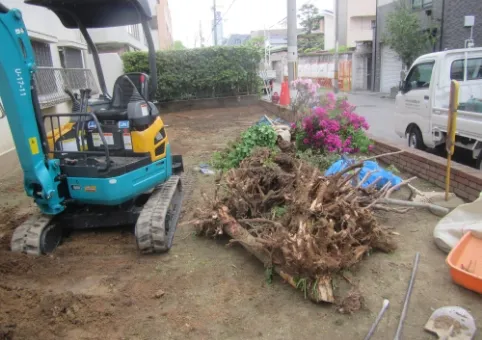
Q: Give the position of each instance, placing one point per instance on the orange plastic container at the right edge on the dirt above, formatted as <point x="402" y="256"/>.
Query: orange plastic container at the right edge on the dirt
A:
<point x="465" y="261"/>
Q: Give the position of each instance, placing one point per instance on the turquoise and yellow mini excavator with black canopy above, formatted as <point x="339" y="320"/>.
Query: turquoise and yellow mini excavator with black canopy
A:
<point x="106" y="164"/>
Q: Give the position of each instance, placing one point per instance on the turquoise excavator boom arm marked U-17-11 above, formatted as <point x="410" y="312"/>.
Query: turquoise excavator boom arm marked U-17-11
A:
<point x="17" y="91"/>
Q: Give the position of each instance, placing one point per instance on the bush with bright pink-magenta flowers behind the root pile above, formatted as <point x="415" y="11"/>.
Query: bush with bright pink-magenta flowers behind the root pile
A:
<point x="332" y="126"/>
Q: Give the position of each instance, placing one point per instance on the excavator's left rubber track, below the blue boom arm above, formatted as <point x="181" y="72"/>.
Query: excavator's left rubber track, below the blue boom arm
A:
<point x="36" y="236"/>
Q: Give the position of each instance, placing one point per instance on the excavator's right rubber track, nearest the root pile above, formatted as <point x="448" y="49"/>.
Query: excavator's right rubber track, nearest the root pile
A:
<point x="157" y="222"/>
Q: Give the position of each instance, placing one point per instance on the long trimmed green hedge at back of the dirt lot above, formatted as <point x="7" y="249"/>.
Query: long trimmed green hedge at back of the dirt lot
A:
<point x="201" y="73"/>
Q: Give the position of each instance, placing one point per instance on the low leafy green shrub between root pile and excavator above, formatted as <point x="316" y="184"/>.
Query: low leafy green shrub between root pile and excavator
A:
<point x="255" y="136"/>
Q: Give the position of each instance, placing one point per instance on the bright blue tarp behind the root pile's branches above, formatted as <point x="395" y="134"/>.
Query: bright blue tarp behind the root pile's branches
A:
<point x="386" y="176"/>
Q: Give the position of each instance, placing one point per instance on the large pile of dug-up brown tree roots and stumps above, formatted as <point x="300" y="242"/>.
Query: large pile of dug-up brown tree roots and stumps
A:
<point x="302" y="225"/>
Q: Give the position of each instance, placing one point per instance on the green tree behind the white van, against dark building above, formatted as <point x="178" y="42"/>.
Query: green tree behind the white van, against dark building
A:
<point x="405" y="34"/>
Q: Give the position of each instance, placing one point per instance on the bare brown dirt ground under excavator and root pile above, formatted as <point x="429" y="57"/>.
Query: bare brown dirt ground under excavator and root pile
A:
<point x="96" y="286"/>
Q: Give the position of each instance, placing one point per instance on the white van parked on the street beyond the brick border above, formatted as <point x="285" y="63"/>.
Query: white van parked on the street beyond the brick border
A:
<point x="422" y="103"/>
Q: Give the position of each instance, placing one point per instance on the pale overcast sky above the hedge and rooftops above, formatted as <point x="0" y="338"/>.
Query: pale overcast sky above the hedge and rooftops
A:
<point x="244" y="16"/>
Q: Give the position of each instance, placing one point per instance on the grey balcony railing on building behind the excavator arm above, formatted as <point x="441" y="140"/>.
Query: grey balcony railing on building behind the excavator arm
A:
<point x="51" y="83"/>
